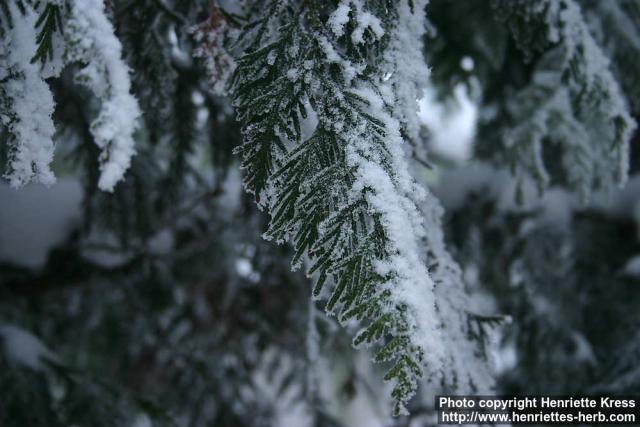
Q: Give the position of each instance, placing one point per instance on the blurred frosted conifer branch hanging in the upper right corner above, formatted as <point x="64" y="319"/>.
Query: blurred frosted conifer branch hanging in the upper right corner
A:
<point x="573" y="100"/>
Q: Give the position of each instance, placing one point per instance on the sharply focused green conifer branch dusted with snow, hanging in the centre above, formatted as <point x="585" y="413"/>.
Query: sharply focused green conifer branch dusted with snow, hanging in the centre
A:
<point x="324" y="156"/>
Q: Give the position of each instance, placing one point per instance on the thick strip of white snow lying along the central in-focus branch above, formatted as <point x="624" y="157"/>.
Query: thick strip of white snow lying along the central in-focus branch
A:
<point x="394" y="197"/>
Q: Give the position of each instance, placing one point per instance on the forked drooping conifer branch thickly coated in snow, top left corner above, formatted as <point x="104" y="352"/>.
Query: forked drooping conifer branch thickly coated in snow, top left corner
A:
<point x="42" y="37"/>
